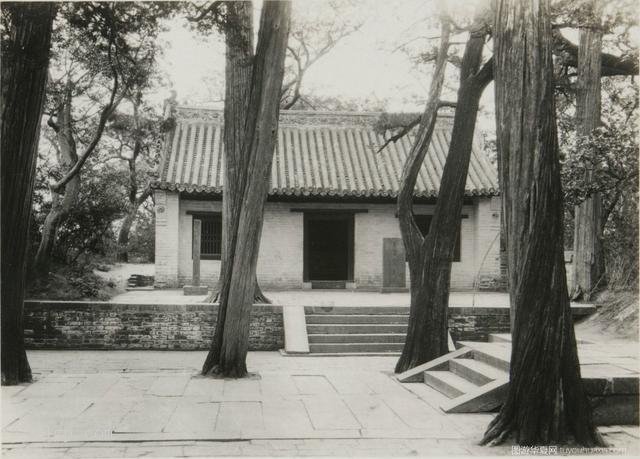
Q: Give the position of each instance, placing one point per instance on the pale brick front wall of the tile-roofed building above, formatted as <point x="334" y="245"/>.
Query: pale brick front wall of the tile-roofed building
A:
<point x="280" y="263"/>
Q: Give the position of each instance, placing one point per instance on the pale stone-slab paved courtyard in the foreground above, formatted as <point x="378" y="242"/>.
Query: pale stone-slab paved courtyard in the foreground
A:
<point x="153" y="403"/>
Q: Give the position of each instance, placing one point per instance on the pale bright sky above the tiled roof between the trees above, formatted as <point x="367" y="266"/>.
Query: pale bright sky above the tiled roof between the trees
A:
<point x="364" y="65"/>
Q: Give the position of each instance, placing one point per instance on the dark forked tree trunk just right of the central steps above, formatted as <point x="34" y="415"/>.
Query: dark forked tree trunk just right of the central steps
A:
<point x="431" y="265"/>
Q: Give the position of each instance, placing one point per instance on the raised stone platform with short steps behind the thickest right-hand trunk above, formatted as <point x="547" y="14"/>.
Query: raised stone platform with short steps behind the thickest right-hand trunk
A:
<point x="475" y="379"/>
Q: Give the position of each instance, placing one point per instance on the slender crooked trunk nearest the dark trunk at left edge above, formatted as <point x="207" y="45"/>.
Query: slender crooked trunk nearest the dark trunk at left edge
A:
<point x="62" y="198"/>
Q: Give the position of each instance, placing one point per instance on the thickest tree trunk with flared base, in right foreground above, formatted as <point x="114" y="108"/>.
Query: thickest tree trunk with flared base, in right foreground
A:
<point x="546" y="403"/>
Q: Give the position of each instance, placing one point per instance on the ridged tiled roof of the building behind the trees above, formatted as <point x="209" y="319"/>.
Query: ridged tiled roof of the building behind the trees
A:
<point x="317" y="154"/>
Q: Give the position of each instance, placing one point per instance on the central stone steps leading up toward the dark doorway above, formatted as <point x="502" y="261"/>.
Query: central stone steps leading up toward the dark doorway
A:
<point x="356" y="330"/>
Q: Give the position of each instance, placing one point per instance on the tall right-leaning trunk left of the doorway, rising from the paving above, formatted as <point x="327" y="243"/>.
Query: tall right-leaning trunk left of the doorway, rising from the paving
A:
<point x="257" y="139"/>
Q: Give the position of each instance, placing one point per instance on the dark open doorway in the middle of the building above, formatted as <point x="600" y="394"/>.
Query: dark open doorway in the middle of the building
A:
<point x="328" y="247"/>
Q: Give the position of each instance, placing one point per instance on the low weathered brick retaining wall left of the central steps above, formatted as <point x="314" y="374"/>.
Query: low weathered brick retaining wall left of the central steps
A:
<point x="102" y="325"/>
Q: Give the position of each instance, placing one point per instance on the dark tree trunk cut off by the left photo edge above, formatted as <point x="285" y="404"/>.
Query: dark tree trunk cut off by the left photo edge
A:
<point x="24" y="76"/>
